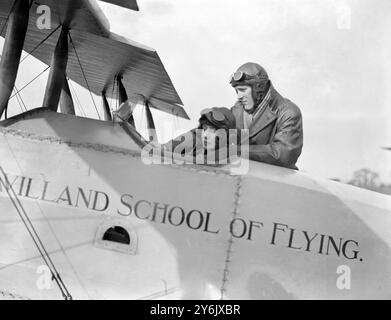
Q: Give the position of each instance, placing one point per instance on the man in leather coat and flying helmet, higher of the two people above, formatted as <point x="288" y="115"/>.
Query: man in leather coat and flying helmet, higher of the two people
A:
<point x="275" y="133"/>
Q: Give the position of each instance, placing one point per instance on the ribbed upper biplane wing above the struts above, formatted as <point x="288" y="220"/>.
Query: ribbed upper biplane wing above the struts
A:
<point x="103" y="55"/>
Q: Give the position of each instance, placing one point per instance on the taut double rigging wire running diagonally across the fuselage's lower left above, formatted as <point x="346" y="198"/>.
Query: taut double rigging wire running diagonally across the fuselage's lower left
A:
<point x="34" y="235"/>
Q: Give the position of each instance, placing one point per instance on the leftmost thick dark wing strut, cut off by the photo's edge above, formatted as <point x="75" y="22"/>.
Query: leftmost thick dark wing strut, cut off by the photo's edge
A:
<point x="12" y="50"/>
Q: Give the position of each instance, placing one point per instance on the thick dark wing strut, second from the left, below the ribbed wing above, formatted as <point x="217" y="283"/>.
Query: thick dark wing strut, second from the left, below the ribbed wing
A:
<point x="57" y="74"/>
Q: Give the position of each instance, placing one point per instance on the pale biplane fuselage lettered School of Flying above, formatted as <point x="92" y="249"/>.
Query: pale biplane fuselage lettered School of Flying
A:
<point x="116" y="227"/>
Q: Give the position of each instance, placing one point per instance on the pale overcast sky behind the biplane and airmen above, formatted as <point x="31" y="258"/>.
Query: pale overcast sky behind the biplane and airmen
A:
<point x="332" y="58"/>
